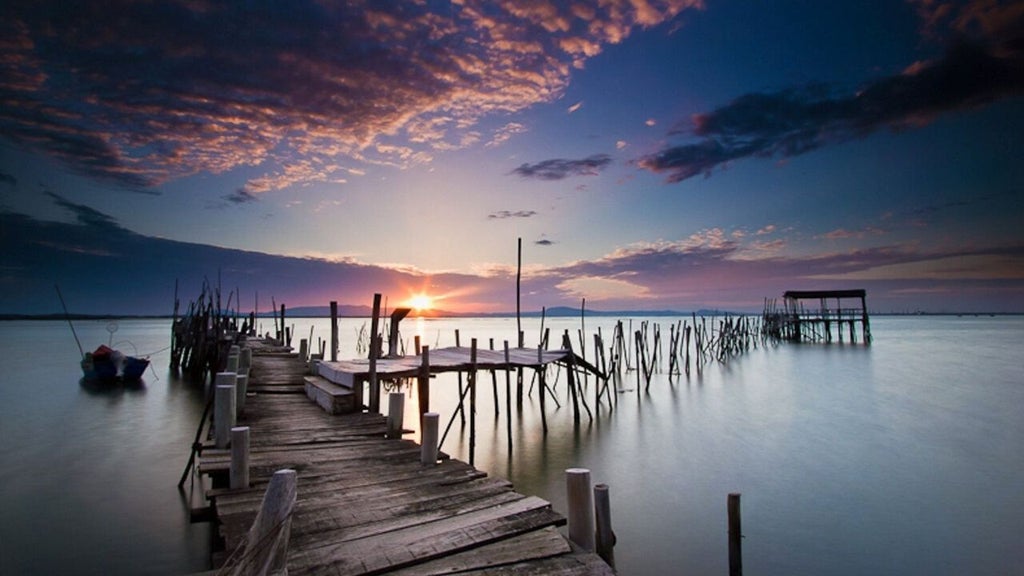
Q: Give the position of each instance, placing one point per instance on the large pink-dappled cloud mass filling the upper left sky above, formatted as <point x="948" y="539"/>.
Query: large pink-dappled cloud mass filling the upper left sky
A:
<point x="169" y="90"/>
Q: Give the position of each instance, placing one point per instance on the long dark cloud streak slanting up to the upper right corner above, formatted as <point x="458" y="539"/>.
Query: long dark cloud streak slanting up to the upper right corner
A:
<point x="787" y="124"/>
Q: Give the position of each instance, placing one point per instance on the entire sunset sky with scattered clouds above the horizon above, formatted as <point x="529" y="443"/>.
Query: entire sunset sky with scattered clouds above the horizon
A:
<point x="649" y="155"/>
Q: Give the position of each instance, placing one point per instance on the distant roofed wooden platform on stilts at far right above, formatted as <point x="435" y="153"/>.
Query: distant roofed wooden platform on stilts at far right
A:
<point x="798" y="322"/>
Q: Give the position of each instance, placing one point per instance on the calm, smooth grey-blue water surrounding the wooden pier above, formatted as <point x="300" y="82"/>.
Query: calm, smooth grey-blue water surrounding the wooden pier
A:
<point x="906" y="458"/>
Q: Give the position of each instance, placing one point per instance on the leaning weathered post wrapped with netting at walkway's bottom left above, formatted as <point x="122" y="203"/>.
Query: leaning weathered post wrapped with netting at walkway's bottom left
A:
<point x="267" y="547"/>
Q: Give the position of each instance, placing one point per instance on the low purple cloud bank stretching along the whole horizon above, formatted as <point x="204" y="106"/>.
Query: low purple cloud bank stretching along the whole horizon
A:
<point x="135" y="274"/>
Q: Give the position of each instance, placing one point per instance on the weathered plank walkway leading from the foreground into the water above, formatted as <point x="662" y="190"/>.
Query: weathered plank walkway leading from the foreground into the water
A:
<point x="367" y="506"/>
